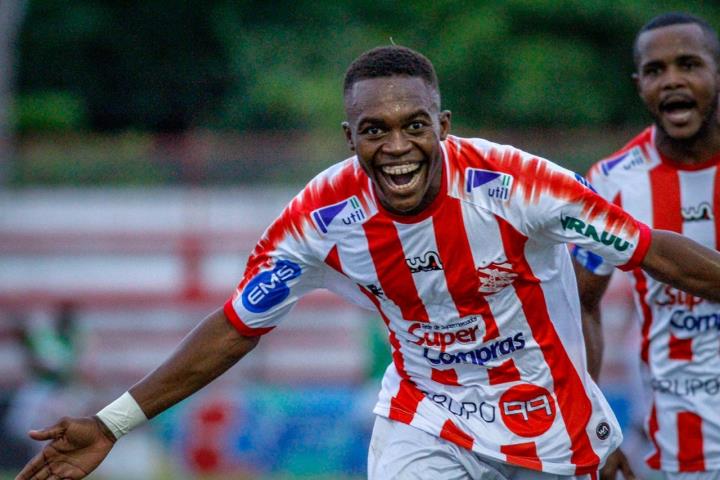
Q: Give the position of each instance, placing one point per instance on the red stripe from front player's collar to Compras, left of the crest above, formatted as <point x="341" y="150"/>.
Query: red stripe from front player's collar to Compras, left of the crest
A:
<point x="459" y="266"/>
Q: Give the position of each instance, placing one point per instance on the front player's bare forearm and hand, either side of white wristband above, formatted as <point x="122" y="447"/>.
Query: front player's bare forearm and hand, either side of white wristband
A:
<point x="79" y="445"/>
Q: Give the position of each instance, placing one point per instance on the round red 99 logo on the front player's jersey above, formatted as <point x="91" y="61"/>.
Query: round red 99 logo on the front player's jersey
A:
<point x="528" y="410"/>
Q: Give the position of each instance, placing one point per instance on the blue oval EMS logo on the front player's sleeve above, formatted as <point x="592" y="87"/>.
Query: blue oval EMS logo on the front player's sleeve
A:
<point x="269" y="288"/>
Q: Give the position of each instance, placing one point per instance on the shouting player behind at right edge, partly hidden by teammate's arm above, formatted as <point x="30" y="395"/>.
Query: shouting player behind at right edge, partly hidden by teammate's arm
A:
<point x="668" y="178"/>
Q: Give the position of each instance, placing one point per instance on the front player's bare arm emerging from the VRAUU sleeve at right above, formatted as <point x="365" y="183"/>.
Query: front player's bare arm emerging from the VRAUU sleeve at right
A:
<point x="683" y="264"/>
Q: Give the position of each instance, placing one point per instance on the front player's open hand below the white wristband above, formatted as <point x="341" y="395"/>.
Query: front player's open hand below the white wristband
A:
<point x="77" y="447"/>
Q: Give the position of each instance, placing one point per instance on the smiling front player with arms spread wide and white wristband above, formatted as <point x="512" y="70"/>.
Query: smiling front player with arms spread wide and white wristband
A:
<point x="459" y="244"/>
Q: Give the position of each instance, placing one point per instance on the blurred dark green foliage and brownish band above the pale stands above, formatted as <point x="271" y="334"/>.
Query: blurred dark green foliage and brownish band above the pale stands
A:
<point x="552" y="76"/>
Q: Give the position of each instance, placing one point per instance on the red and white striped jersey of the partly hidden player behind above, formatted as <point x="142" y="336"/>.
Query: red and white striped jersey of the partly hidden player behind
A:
<point x="680" y="332"/>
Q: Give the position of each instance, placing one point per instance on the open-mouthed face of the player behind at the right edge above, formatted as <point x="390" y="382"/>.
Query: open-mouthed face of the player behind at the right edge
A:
<point x="677" y="79"/>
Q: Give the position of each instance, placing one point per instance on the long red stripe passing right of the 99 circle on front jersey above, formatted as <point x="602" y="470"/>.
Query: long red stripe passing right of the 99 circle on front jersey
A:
<point x="569" y="390"/>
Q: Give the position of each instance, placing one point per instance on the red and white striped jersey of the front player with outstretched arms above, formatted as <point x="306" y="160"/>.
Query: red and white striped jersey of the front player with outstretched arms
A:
<point x="477" y="292"/>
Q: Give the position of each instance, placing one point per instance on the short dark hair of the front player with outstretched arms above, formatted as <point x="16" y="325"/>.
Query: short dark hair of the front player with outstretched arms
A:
<point x="389" y="61"/>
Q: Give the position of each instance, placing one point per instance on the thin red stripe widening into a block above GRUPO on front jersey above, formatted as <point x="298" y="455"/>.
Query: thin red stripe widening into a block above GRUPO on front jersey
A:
<point x="403" y="405"/>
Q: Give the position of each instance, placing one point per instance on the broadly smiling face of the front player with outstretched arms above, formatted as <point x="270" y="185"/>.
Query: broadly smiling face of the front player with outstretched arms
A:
<point x="395" y="127"/>
